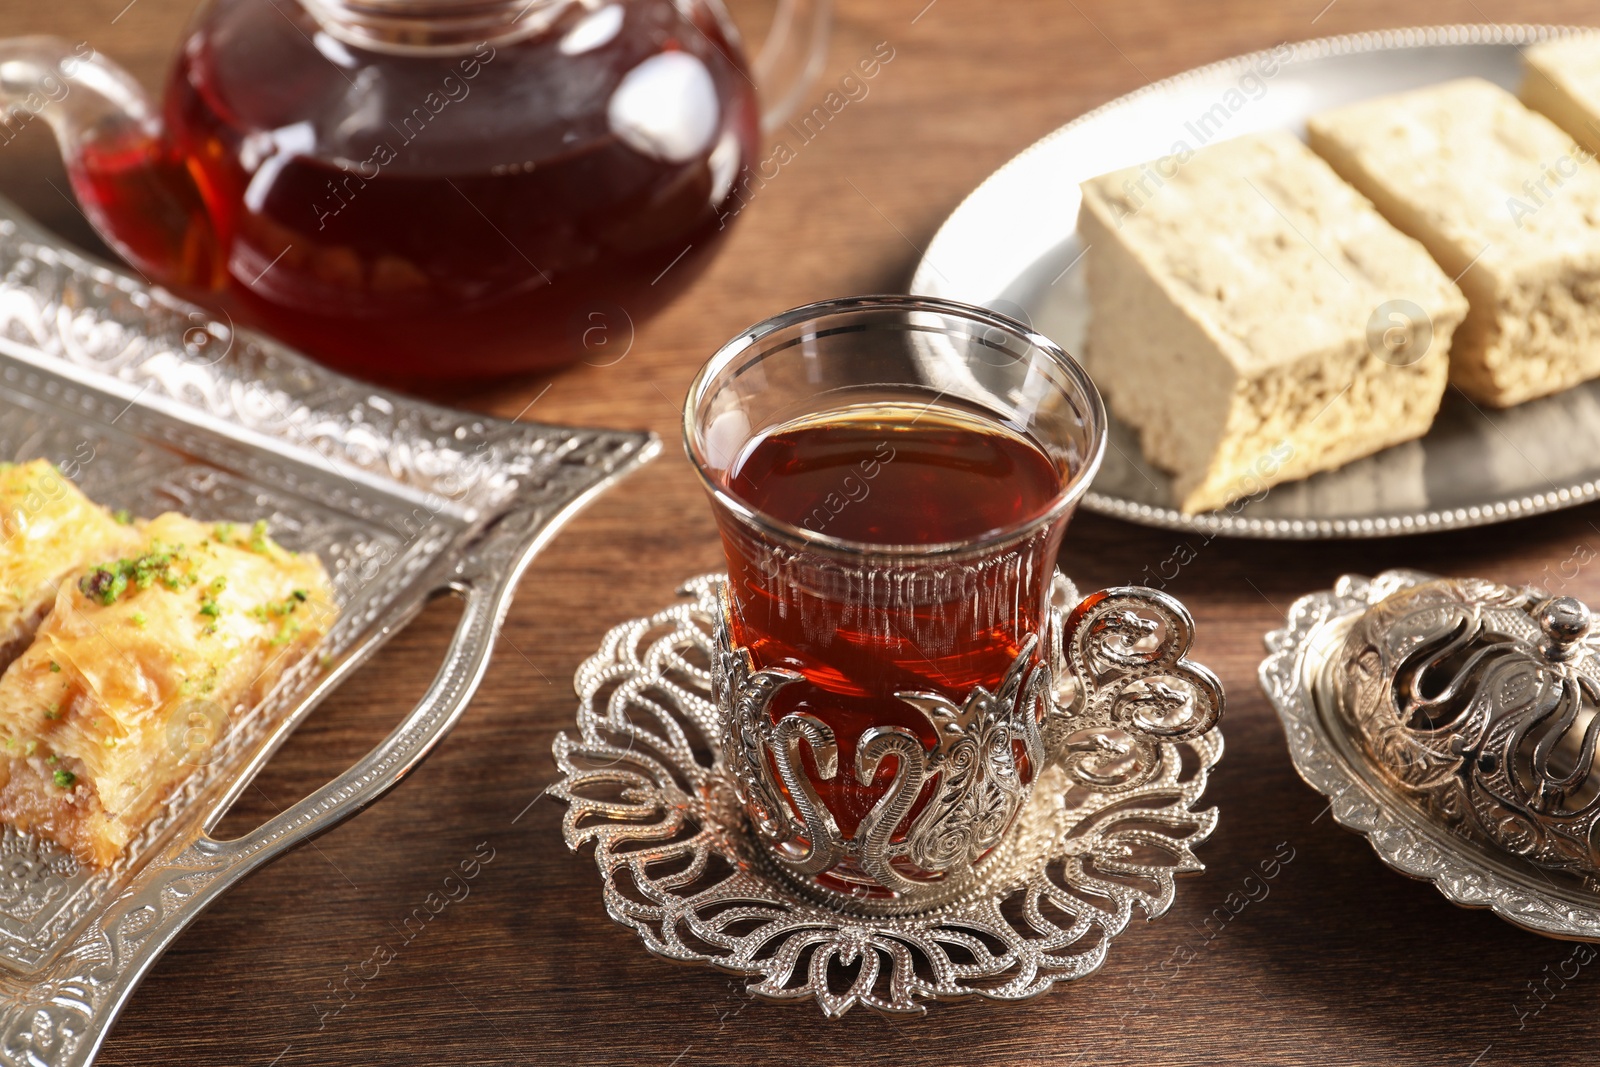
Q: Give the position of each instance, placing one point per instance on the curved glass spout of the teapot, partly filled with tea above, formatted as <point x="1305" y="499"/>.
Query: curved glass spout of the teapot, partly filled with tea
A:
<point x="134" y="190"/>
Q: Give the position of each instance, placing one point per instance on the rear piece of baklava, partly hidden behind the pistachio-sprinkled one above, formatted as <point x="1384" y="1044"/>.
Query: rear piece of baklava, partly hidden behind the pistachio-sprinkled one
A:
<point x="49" y="530"/>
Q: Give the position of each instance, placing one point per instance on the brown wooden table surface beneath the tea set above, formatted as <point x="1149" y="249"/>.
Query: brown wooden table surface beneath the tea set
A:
<point x="1342" y="962"/>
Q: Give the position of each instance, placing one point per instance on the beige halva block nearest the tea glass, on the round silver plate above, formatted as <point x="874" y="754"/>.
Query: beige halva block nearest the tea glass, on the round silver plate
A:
<point x="1255" y="318"/>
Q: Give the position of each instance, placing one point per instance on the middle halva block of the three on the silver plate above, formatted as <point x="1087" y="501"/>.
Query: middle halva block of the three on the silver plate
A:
<point x="1508" y="207"/>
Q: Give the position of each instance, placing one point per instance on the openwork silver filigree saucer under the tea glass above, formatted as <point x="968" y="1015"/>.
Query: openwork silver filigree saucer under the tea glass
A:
<point x="646" y="783"/>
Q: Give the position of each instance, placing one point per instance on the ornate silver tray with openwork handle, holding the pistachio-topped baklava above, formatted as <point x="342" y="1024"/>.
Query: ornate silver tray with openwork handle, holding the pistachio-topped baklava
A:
<point x="151" y="406"/>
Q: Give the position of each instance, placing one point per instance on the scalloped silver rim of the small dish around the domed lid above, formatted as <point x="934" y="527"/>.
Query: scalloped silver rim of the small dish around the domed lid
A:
<point x="1470" y="873"/>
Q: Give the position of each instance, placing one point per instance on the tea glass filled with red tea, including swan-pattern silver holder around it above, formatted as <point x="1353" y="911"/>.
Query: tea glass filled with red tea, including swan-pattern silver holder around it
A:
<point x="892" y="478"/>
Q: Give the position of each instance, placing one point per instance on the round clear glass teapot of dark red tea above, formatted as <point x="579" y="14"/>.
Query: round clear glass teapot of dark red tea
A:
<point x="426" y="191"/>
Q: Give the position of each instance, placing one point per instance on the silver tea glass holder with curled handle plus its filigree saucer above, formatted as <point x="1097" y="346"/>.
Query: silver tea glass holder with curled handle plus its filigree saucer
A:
<point x="1113" y="818"/>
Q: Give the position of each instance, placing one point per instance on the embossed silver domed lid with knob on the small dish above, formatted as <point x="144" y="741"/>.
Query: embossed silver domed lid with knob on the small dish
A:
<point x="1479" y="705"/>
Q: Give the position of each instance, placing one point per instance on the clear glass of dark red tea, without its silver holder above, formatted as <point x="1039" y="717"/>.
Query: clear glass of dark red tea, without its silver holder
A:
<point x="892" y="479"/>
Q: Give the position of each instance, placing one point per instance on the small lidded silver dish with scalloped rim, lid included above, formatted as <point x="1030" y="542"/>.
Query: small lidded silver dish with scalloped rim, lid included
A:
<point x="1426" y="781"/>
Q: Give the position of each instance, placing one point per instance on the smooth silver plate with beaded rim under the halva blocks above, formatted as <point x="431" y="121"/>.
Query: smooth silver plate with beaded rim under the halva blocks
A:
<point x="1014" y="246"/>
